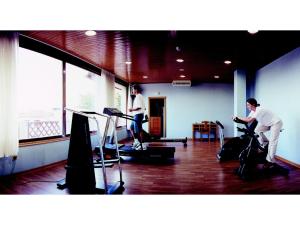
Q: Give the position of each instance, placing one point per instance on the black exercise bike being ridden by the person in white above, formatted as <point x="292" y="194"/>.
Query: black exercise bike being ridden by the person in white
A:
<point x="253" y="155"/>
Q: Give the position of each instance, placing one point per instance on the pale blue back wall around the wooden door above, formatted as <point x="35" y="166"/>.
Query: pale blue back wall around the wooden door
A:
<point x="187" y="105"/>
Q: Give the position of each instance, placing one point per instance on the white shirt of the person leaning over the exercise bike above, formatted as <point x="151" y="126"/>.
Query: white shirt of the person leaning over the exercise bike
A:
<point x="264" y="116"/>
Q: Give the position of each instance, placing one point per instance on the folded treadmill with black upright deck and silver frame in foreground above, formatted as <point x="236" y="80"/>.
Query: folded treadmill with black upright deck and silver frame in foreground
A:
<point x="81" y="164"/>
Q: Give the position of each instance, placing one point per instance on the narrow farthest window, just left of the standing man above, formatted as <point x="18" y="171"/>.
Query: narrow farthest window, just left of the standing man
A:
<point x="120" y="102"/>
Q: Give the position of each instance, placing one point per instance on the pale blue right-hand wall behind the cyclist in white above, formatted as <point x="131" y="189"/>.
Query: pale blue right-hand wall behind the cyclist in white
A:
<point x="277" y="87"/>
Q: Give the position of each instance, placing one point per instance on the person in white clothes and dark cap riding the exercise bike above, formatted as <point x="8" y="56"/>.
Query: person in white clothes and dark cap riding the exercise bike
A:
<point x="267" y="120"/>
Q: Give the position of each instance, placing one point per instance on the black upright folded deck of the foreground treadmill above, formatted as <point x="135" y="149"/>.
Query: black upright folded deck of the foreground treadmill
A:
<point x="80" y="176"/>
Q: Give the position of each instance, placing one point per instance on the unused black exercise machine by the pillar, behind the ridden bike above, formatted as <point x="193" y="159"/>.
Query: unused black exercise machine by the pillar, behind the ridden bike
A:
<point x="231" y="149"/>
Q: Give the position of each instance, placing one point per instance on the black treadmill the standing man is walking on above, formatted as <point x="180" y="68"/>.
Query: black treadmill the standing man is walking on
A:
<point x="151" y="150"/>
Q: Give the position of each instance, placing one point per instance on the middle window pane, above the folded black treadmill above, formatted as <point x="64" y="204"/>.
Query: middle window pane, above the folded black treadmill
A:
<point x="82" y="92"/>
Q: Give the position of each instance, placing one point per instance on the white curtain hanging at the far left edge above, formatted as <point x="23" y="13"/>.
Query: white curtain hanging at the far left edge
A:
<point x="9" y="141"/>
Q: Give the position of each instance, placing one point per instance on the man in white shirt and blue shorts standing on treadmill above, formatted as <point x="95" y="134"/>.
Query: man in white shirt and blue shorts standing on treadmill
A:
<point x="137" y="110"/>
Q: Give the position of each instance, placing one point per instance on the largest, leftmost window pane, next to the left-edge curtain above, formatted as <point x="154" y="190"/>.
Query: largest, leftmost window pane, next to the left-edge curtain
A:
<point x="39" y="95"/>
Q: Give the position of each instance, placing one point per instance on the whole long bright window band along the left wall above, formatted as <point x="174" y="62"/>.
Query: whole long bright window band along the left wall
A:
<point x="40" y="95"/>
